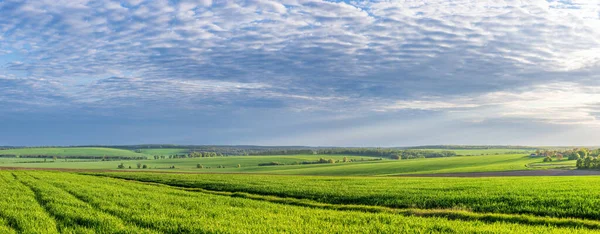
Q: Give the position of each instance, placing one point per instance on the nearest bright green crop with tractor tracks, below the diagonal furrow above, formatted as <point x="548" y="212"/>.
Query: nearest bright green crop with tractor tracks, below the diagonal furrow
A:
<point x="68" y="203"/>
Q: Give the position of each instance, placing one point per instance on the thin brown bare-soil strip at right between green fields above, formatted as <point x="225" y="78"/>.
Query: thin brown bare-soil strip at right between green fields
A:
<point x="549" y="172"/>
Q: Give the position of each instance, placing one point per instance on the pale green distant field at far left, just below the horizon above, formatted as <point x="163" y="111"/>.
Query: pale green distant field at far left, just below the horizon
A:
<point x="73" y="152"/>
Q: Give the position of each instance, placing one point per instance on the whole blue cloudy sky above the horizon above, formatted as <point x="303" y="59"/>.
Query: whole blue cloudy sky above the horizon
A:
<point x="300" y="72"/>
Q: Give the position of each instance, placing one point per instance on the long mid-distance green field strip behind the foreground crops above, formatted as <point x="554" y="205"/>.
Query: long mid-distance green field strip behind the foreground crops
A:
<point x="249" y="164"/>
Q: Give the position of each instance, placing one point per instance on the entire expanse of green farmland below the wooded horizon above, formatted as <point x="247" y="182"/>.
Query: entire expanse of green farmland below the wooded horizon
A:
<point x="296" y="193"/>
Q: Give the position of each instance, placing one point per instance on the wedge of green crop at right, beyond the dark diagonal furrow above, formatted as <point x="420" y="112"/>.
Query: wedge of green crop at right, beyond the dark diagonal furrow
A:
<point x="560" y="197"/>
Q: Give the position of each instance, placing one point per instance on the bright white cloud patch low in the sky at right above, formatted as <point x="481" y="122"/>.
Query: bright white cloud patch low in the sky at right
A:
<point x="557" y="103"/>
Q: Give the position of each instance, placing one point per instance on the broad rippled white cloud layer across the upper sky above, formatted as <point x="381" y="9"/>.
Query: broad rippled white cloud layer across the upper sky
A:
<point x="312" y="55"/>
